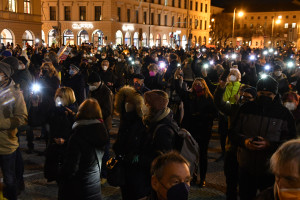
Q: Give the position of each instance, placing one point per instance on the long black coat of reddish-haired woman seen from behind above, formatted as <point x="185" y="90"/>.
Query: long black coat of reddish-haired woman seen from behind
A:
<point x="80" y="174"/>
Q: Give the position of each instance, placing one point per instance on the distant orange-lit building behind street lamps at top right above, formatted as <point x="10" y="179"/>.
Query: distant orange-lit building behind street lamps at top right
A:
<point x="278" y="28"/>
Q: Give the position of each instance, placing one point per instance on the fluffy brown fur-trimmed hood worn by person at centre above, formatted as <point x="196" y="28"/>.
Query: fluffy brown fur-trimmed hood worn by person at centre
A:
<point x="130" y="95"/>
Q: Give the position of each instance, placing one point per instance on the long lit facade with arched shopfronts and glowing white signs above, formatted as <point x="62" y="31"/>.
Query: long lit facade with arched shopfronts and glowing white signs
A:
<point x="131" y="22"/>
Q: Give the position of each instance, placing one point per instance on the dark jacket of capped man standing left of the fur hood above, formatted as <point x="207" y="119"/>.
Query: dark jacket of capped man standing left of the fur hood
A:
<point x="104" y="96"/>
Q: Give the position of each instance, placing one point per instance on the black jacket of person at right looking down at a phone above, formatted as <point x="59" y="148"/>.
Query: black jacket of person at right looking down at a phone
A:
<point x="273" y="122"/>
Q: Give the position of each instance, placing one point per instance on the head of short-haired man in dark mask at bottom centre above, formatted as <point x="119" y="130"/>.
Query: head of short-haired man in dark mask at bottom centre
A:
<point x="170" y="177"/>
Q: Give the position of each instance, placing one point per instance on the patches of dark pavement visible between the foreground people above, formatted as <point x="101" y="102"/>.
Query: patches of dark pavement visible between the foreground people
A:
<point x="37" y="187"/>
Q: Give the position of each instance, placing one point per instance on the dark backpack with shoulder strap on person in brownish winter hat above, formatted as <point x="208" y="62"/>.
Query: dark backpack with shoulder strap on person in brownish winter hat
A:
<point x="189" y="148"/>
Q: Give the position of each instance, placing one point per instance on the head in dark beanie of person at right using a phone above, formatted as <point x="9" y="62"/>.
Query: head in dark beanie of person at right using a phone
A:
<point x="267" y="89"/>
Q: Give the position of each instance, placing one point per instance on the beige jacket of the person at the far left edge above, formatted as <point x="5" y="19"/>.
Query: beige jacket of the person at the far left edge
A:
<point x="13" y="113"/>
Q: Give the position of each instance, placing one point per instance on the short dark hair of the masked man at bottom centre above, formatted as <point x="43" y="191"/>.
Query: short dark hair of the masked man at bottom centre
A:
<point x="158" y="165"/>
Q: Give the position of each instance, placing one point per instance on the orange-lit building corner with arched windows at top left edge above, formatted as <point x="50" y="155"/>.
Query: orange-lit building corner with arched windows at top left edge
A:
<point x="20" y="21"/>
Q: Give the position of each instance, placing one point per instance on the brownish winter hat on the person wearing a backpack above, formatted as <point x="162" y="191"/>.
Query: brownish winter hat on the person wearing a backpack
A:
<point x="157" y="99"/>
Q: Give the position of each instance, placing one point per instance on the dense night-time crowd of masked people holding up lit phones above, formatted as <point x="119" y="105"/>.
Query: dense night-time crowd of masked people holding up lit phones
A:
<point x="155" y="92"/>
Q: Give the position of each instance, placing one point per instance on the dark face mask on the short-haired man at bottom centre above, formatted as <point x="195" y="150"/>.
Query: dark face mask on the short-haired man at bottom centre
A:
<point x="178" y="192"/>
